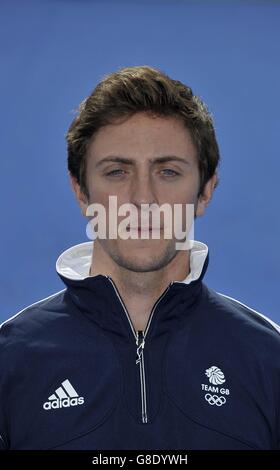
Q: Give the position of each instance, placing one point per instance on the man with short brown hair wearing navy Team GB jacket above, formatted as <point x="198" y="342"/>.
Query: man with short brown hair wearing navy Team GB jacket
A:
<point x="137" y="352"/>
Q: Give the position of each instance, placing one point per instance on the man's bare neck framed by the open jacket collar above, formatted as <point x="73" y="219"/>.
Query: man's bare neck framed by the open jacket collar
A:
<point x="140" y="290"/>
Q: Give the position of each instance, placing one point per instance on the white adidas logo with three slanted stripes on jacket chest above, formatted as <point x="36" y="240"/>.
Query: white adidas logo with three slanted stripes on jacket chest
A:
<point x="63" y="397"/>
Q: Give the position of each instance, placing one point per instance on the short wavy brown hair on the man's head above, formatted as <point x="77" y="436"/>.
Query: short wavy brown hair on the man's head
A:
<point x="141" y="89"/>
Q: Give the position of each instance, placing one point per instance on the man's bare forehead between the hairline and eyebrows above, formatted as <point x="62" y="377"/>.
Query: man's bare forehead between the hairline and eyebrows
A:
<point x="142" y="135"/>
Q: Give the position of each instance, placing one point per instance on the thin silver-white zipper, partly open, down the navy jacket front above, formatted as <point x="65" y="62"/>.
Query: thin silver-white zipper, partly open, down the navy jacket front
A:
<point x="140" y="337"/>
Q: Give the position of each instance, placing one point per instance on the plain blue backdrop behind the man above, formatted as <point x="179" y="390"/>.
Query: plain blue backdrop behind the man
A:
<point x="53" y="53"/>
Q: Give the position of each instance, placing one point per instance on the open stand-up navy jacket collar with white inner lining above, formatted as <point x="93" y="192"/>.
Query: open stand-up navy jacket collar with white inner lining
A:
<point x="97" y="297"/>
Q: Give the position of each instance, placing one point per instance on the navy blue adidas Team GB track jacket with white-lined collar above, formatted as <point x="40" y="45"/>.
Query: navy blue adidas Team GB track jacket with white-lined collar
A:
<point x="74" y="373"/>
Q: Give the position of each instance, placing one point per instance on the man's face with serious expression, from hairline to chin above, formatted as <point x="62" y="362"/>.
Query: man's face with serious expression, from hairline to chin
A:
<point x="144" y="179"/>
